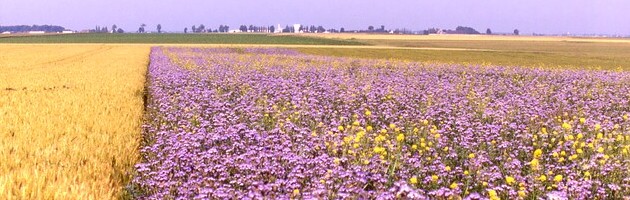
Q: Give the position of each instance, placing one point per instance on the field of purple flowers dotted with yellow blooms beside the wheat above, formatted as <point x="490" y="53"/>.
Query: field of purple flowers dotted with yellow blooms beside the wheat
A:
<point x="273" y="123"/>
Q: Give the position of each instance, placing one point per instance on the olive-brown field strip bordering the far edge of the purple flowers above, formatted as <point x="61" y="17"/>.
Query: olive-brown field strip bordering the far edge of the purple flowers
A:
<point x="526" y="59"/>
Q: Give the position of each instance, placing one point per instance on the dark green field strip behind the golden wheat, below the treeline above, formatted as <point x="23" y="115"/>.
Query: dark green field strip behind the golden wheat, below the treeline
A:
<point x="176" y="39"/>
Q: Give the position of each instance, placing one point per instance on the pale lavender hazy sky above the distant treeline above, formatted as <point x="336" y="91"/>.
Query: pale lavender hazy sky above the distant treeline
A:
<point x="539" y="16"/>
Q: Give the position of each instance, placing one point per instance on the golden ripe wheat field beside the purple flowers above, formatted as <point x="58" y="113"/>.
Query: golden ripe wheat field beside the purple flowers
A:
<point x="70" y="119"/>
